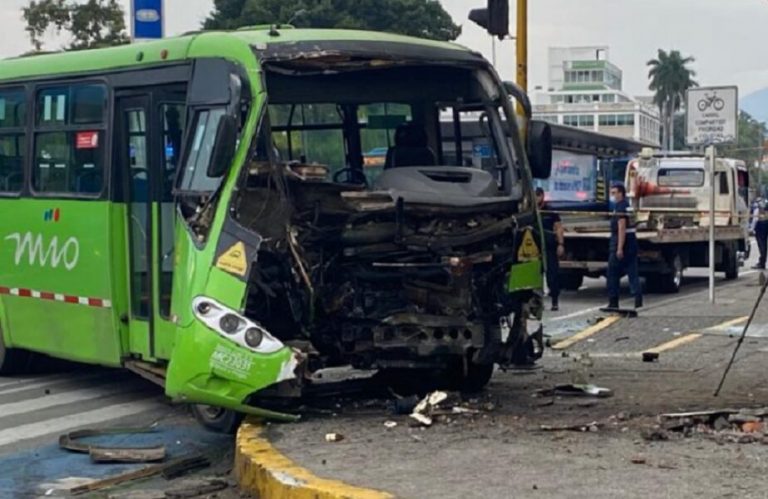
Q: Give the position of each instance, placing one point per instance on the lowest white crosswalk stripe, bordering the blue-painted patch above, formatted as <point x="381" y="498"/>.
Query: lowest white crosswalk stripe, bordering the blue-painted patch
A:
<point x="66" y="423"/>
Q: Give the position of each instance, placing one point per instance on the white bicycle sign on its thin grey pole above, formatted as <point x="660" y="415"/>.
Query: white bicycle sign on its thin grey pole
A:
<point x="712" y="117"/>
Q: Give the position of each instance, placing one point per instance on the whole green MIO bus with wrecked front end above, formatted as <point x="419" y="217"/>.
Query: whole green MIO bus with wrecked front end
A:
<point x="196" y="209"/>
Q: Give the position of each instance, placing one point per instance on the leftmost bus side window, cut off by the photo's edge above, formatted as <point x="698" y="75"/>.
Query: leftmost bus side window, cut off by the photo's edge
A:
<point x="13" y="139"/>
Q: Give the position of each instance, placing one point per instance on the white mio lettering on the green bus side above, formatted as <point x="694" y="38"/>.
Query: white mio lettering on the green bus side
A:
<point x="39" y="253"/>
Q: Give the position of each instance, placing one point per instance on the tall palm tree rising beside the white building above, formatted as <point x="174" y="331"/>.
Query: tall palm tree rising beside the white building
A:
<point x="670" y="78"/>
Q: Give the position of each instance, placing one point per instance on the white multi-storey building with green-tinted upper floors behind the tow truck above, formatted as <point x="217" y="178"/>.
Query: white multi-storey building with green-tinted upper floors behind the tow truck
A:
<point x="585" y="91"/>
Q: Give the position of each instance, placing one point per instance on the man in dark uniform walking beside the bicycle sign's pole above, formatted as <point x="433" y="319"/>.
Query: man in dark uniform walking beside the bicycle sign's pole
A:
<point x="622" y="248"/>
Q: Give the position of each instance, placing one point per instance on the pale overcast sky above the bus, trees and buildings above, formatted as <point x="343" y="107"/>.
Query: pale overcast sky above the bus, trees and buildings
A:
<point x="726" y="36"/>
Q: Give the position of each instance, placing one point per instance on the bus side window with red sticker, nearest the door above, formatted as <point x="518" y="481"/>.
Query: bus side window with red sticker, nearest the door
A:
<point x="69" y="139"/>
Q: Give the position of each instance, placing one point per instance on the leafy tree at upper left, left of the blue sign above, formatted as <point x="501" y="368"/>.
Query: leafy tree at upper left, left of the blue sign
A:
<point x="92" y="24"/>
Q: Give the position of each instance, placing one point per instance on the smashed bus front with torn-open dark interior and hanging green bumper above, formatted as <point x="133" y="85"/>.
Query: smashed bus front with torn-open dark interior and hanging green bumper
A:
<point x="427" y="261"/>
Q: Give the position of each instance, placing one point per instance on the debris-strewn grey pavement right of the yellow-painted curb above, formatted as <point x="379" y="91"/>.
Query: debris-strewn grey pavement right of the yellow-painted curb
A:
<point x="503" y="452"/>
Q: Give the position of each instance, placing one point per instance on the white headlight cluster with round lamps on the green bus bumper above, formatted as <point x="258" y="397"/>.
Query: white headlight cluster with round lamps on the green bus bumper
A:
<point x="233" y="326"/>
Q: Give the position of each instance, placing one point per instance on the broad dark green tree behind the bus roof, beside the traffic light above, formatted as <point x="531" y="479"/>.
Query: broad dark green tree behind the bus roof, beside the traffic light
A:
<point x="422" y="18"/>
